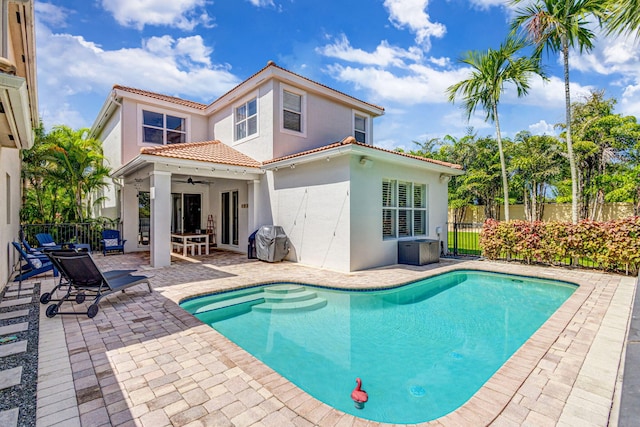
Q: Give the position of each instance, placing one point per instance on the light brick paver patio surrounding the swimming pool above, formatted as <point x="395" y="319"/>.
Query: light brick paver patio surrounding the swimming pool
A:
<point x="143" y="361"/>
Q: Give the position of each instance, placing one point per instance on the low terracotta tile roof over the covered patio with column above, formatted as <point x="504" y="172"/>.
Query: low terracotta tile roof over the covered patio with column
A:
<point x="205" y="151"/>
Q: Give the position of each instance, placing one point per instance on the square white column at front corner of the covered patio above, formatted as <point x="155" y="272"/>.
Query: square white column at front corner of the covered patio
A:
<point x="160" y="195"/>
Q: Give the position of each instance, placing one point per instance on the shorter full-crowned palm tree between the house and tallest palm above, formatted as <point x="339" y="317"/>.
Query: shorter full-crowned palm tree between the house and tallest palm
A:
<point x="490" y="71"/>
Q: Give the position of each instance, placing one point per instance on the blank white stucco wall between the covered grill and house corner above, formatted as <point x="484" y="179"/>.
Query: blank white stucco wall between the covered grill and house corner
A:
<point x="312" y="204"/>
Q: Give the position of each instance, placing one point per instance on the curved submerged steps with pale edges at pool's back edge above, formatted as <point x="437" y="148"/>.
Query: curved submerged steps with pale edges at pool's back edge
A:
<point x="289" y="297"/>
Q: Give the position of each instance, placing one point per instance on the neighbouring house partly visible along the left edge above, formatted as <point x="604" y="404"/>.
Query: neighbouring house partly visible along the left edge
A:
<point x="18" y="117"/>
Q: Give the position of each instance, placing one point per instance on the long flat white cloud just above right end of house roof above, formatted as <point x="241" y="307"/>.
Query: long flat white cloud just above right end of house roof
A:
<point x="384" y="55"/>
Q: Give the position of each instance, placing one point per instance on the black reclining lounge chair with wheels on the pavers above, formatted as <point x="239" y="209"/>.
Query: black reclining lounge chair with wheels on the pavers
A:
<point x="85" y="279"/>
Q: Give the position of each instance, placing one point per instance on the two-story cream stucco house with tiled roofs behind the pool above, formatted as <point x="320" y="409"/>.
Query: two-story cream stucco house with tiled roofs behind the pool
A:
<point x="277" y="149"/>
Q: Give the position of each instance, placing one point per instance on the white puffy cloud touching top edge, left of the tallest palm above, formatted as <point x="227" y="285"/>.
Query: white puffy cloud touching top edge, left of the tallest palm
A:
<point x="412" y="14"/>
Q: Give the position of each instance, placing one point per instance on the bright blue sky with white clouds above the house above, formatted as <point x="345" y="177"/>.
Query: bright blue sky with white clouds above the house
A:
<point x="400" y="54"/>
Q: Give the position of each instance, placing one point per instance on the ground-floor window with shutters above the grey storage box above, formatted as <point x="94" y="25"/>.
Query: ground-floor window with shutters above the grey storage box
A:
<point x="402" y="216"/>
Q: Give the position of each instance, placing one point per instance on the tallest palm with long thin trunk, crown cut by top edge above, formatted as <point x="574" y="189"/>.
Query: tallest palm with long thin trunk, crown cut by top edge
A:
<point x="558" y="25"/>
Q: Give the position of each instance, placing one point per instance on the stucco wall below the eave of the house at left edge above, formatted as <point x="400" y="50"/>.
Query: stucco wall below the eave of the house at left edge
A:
<point x="9" y="209"/>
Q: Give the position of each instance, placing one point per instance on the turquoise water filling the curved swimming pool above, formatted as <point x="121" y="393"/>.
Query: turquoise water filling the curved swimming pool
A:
<point x="422" y="349"/>
